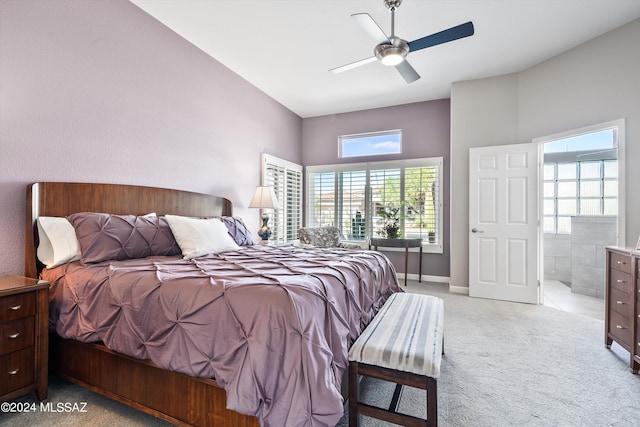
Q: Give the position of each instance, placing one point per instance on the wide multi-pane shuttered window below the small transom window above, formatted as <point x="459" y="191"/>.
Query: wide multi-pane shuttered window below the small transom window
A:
<point x="351" y="197"/>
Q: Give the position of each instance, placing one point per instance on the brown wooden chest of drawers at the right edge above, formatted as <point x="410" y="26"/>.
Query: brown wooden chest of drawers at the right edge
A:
<point x="622" y="314"/>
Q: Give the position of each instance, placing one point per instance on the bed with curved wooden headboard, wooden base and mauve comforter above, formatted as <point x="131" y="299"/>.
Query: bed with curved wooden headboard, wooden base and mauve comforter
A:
<point x="245" y="369"/>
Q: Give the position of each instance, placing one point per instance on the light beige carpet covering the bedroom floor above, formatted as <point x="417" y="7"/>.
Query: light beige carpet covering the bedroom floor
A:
<point x="505" y="364"/>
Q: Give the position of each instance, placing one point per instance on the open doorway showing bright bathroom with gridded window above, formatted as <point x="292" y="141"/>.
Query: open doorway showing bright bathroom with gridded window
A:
<point x="581" y="205"/>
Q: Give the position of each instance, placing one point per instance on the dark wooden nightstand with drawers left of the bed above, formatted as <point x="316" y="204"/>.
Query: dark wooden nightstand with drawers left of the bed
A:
<point x="24" y="337"/>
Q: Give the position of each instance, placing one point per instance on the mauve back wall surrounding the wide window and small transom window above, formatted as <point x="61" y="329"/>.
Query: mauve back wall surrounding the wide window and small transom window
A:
<point x="425" y="133"/>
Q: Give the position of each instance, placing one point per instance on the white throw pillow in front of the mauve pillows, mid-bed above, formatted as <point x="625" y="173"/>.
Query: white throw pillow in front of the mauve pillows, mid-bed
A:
<point x="198" y="237"/>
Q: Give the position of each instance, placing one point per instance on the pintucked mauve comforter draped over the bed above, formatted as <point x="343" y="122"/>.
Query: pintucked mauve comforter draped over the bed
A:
<point x="272" y="325"/>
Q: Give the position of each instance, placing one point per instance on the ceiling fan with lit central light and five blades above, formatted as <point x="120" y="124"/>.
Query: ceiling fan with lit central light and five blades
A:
<point x="393" y="50"/>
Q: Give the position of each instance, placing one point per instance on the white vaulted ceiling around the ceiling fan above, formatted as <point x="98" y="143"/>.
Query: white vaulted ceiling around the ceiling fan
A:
<point x="286" y="47"/>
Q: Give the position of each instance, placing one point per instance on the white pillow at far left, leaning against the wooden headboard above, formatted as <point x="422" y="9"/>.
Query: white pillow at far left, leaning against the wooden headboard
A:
<point x="58" y="243"/>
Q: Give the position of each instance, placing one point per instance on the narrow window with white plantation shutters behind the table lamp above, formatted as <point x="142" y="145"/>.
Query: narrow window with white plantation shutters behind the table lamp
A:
<point x="286" y="179"/>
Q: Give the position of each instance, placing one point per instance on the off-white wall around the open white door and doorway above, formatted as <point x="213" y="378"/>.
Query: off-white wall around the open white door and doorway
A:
<point x="593" y="83"/>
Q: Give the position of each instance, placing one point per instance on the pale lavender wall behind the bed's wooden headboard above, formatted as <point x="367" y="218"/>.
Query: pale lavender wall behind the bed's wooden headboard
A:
<point x="98" y="91"/>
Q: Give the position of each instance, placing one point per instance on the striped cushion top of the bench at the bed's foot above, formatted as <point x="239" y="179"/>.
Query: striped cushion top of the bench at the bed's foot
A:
<point x="406" y="335"/>
